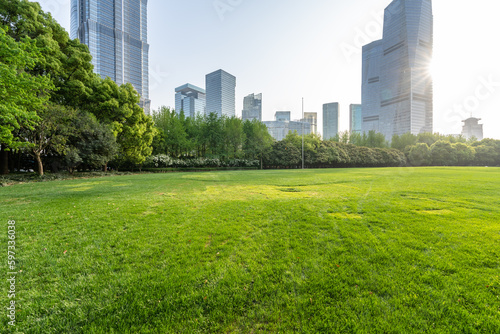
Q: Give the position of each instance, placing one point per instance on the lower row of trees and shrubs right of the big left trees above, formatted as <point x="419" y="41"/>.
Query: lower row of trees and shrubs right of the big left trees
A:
<point x="183" y="140"/>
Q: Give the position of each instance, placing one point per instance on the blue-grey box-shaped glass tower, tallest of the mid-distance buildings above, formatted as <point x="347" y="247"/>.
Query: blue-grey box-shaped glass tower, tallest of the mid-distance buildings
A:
<point x="221" y="92"/>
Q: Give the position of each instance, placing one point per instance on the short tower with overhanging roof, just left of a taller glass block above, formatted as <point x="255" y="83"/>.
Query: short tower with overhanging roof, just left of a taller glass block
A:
<point x="191" y="100"/>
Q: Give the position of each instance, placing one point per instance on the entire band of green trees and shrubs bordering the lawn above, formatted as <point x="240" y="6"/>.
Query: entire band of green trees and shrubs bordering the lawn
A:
<point x="56" y="113"/>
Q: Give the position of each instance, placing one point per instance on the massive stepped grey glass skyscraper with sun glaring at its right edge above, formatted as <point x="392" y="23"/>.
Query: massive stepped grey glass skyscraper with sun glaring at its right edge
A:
<point x="397" y="95"/>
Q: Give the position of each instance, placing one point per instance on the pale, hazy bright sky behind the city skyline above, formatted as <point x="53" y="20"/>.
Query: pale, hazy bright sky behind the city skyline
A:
<point x="292" y="49"/>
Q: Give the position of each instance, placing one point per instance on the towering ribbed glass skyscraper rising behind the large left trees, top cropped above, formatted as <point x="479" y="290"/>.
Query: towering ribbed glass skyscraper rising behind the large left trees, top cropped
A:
<point x="116" y="33"/>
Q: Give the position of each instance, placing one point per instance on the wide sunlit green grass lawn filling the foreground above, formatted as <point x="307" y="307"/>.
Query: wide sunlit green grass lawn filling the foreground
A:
<point x="315" y="251"/>
